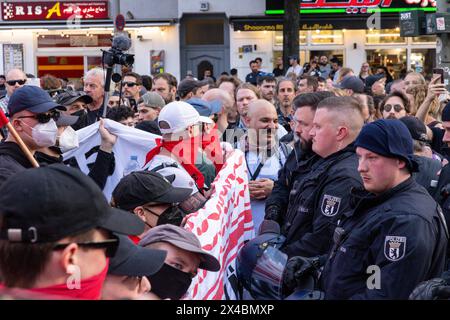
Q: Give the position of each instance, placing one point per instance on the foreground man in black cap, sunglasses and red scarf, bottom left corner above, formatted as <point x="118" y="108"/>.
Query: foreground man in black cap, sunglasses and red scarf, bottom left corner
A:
<point x="57" y="242"/>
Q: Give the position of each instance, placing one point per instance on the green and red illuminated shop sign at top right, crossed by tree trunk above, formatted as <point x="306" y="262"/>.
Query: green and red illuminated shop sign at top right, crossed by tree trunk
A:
<point x="275" y="7"/>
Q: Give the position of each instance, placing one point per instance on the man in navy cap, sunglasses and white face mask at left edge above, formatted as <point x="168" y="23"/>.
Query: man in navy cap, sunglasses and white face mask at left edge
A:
<point x="32" y="114"/>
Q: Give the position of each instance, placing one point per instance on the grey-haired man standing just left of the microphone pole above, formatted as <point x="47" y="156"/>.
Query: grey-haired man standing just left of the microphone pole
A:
<point x="94" y="83"/>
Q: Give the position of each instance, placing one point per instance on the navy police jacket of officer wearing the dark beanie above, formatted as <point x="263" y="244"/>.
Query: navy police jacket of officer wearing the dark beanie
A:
<point x="400" y="232"/>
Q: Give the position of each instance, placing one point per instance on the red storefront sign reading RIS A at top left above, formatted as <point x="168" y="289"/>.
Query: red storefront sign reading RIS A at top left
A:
<point x="59" y="10"/>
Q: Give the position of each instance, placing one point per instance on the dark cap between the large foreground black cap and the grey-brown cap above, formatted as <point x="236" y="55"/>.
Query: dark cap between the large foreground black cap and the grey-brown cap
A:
<point x="135" y="261"/>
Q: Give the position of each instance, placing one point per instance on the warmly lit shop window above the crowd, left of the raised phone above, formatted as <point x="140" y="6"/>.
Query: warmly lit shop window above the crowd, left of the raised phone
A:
<point x="394" y="59"/>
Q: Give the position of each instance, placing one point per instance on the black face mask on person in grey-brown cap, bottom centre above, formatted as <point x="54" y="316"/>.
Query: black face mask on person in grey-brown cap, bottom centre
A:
<point x="170" y="282"/>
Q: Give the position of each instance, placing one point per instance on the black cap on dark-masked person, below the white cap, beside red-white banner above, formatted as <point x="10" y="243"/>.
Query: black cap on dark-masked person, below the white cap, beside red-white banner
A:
<point x="141" y="187"/>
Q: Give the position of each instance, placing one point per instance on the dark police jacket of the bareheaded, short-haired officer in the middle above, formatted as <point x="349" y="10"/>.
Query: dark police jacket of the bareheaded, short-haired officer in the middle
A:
<point x="317" y="200"/>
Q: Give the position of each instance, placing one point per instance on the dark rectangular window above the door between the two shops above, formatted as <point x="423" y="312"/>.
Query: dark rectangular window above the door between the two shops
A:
<point x="204" y="31"/>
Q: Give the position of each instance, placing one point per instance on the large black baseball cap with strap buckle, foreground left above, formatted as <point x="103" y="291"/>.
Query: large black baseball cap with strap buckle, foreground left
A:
<point x="50" y="203"/>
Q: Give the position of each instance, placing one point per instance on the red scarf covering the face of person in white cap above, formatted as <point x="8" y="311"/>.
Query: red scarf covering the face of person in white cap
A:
<point x="185" y="151"/>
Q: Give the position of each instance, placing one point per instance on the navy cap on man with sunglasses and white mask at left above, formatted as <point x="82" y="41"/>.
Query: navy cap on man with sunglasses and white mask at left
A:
<point x="33" y="99"/>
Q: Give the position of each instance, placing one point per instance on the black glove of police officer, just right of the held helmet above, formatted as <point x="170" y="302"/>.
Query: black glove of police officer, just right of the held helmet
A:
<point x="301" y="272"/>
